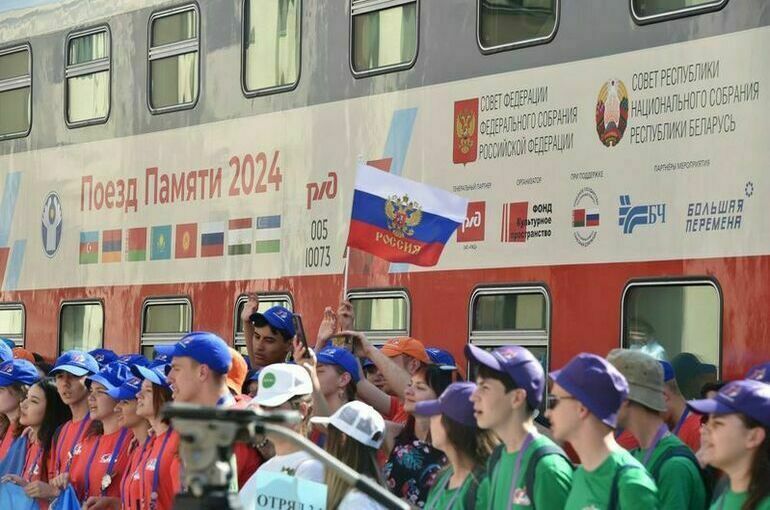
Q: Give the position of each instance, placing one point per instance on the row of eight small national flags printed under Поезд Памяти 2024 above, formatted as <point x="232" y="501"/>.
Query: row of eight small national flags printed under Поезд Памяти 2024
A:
<point x="164" y="242"/>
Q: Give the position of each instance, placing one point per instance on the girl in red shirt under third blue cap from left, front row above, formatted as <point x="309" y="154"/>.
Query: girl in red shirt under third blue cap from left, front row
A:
<point x="96" y="471"/>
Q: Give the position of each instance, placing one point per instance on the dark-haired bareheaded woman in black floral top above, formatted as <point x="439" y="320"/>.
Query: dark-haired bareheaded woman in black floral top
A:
<point x="414" y="463"/>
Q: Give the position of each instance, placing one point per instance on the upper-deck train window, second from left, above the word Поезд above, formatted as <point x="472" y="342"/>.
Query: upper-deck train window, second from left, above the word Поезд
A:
<point x="87" y="77"/>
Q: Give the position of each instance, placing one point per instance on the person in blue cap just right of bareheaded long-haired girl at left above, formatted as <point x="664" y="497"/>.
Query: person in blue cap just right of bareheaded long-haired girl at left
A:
<point x="70" y="372"/>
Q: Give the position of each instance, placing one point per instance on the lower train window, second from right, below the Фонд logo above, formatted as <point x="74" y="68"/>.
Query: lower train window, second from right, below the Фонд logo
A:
<point x="511" y="316"/>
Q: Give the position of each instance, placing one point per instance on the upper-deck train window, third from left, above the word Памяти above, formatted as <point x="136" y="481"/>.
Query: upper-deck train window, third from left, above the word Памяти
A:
<point x="174" y="61"/>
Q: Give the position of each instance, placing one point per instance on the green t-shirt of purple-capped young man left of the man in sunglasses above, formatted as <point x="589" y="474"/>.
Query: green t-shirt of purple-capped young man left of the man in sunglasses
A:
<point x="553" y="478"/>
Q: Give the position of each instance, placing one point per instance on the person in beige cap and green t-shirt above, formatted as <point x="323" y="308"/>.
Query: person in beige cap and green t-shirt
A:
<point x="671" y="463"/>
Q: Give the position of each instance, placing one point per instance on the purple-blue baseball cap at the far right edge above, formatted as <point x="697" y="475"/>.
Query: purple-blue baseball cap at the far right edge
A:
<point x="749" y="397"/>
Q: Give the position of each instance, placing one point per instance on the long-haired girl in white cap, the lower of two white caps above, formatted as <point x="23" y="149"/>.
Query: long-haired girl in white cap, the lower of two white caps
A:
<point x="354" y="434"/>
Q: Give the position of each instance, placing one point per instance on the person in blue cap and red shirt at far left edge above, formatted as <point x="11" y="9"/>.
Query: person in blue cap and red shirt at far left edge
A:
<point x="16" y="376"/>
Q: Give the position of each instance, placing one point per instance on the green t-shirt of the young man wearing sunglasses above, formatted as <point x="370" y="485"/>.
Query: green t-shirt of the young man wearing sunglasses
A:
<point x="591" y="489"/>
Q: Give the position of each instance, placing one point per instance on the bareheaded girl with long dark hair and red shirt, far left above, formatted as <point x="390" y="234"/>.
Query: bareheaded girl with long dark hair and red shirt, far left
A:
<point x="42" y="412"/>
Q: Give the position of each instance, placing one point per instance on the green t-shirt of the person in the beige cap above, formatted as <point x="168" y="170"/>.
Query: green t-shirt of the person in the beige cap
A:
<point x="679" y="482"/>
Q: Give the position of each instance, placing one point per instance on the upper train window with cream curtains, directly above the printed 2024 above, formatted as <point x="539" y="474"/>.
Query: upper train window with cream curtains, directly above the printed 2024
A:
<point x="272" y="35"/>
